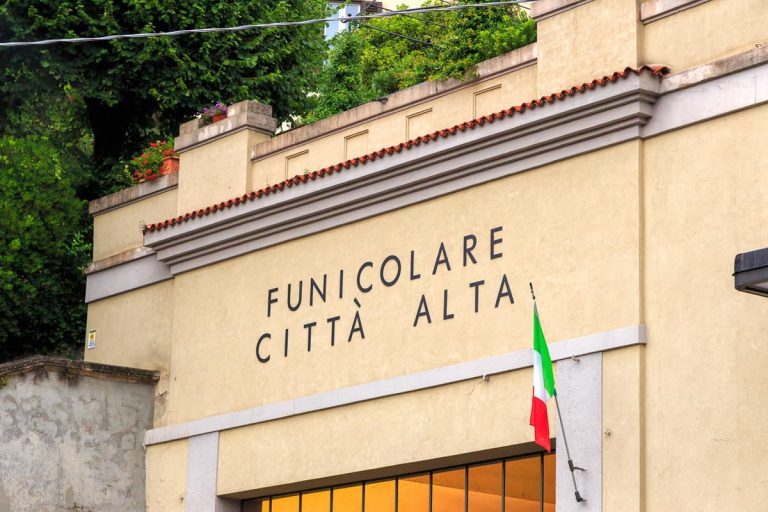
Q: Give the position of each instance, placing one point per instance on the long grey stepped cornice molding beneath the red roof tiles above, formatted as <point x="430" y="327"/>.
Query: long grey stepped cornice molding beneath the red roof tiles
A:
<point x="586" y="122"/>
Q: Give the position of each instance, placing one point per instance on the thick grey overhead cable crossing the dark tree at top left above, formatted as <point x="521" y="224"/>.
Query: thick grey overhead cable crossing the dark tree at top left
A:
<point x="174" y="33"/>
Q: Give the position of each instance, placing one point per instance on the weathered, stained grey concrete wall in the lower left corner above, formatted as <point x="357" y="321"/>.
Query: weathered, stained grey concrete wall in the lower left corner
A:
<point x="72" y="442"/>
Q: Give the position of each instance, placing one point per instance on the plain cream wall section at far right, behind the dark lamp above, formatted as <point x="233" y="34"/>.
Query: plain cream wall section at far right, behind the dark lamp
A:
<point x="706" y="416"/>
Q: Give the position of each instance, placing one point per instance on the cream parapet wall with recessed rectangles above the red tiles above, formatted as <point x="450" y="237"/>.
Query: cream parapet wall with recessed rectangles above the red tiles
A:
<point x="444" y="112"/>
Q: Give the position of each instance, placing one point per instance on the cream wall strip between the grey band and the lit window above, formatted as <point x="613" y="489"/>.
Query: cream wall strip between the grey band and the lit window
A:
<point x="377" y="434"/>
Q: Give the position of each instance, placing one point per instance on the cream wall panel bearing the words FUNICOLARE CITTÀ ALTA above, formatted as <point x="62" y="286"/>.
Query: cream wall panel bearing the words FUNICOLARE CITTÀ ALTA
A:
<point x="555" y="221"/>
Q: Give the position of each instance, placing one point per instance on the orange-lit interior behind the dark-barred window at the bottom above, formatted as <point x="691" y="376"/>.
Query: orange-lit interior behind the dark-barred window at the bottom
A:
<point x="525" y="484"/>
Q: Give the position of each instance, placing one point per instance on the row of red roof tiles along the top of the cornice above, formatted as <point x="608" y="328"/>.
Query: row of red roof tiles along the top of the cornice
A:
<point x="658" y="71"/>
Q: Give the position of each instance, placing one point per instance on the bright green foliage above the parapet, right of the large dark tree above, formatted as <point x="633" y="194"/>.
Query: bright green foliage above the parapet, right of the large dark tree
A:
<point x="368" y="62"/>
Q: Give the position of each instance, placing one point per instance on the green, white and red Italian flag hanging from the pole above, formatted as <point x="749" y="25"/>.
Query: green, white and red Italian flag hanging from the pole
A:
<point x="543" y="384"/>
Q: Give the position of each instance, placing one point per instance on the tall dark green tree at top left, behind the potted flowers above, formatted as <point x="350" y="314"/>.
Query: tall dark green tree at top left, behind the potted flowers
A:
<point x="134" y="90"/>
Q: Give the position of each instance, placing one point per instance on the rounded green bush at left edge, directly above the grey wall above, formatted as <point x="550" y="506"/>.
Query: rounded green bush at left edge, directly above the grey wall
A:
<point x="42" y="252"/>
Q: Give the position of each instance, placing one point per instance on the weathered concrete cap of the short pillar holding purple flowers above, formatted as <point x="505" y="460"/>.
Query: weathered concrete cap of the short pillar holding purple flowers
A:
<point x="248" y="114"/>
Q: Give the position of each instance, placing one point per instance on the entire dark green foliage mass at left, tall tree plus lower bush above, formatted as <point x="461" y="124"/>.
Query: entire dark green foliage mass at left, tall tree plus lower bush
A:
<point x="71" y="115"/>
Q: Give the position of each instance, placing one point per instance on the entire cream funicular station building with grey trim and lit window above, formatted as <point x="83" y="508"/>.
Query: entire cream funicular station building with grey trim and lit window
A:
<point x="341" y="314"/>
